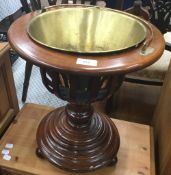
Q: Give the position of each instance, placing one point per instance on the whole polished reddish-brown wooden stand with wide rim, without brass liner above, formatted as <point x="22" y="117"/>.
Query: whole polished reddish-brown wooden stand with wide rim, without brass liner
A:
<point x="76" y="137"/>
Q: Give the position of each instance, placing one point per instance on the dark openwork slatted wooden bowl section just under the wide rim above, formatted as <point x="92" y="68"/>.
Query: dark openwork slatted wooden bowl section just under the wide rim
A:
<point x="80" y="89"/>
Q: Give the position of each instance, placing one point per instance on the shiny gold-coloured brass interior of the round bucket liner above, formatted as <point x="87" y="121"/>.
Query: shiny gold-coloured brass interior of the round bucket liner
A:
<point x="87" y="30"/>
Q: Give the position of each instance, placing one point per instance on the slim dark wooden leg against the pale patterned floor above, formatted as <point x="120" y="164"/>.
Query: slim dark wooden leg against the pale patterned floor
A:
<point x="28" y="70"/>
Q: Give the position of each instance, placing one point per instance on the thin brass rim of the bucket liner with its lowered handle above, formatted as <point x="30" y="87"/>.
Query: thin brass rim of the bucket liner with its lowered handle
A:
<point x="64" y="7"/>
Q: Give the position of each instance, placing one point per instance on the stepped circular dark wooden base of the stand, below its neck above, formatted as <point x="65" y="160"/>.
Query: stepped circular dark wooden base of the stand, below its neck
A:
<point x="78" y="148"/>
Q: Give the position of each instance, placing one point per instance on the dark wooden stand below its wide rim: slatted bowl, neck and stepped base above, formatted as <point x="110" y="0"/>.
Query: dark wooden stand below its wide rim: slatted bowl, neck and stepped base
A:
<point x="76" y="137"/>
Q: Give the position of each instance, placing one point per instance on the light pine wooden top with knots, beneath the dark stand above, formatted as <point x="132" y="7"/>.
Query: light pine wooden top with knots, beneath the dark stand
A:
<point x="133" y="156"/>
